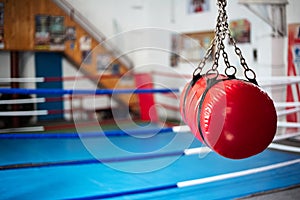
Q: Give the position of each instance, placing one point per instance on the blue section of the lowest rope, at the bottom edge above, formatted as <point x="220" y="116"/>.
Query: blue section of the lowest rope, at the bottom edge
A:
<point x="118" y="194"/>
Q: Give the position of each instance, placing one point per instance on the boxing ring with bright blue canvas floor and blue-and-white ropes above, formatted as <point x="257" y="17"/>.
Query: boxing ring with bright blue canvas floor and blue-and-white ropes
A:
<point x="156" y="160"/>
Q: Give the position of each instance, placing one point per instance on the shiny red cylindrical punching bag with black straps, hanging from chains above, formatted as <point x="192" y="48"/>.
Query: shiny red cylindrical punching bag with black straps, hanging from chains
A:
<point x="233" y="117"/>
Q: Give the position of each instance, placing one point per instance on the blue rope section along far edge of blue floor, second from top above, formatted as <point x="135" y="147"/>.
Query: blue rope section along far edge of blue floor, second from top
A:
<point x="107" y="133"/>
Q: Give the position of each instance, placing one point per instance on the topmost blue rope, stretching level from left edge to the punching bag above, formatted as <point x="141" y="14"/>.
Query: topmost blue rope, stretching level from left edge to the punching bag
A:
<point x="69" y="91"/>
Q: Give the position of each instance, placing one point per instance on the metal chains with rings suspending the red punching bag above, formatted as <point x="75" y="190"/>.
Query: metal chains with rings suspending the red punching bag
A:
<point x="221" y="31"/>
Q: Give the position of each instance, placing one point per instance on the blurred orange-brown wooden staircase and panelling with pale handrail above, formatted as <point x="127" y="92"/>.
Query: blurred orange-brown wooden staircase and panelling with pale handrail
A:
<point x="20" y="30"/>
